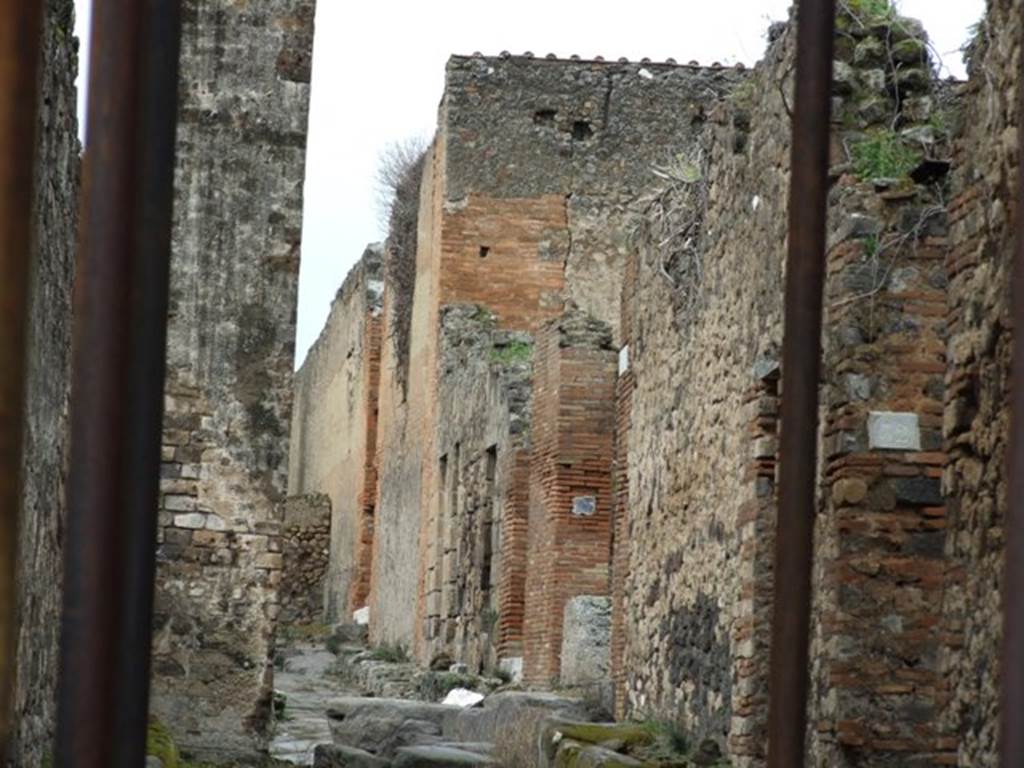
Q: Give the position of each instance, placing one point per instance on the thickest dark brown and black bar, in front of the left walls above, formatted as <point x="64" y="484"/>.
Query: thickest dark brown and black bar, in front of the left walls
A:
<point x="117" y="388"/>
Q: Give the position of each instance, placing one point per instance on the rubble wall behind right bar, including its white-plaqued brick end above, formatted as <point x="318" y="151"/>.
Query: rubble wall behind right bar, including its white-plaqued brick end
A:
<point x="703" y="419"/>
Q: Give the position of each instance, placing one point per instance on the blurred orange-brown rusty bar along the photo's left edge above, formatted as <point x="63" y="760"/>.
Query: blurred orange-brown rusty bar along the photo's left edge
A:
<point x="20" y="36"/>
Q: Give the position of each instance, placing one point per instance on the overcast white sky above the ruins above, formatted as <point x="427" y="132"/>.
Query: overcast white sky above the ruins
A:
<point x="379" y="72"/>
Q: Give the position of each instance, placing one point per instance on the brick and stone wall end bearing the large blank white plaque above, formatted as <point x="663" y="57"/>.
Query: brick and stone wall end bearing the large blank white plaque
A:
<point x="883" y="525"/>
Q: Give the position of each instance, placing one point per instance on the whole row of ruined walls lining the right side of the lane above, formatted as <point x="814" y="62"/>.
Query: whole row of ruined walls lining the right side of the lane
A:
<point x="578" y="411"/>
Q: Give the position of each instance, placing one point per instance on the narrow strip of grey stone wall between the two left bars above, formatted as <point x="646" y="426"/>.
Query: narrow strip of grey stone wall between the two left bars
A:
<point x="42" y="514"/>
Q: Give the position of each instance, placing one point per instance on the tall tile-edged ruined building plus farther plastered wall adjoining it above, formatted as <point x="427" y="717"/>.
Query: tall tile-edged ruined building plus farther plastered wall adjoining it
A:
<point x="519" y="260"/>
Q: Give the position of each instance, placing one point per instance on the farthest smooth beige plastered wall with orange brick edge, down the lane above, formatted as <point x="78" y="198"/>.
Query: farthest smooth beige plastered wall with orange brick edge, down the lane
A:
<point x="336" y="394"/>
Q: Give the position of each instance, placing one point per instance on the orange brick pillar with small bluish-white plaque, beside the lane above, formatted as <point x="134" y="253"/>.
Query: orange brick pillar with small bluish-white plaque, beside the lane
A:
<point x="571" y="496"/>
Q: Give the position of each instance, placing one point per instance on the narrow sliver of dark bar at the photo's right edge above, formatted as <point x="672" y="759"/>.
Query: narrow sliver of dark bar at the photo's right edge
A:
<point x="1012" y="673"/>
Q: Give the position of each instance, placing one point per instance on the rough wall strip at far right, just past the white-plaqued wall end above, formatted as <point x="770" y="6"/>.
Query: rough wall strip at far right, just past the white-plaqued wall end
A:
<point x="976" y="422"/>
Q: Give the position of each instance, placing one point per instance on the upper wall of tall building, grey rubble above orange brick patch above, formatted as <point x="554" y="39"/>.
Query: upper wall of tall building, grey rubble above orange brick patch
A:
<point x="544" y="160"/>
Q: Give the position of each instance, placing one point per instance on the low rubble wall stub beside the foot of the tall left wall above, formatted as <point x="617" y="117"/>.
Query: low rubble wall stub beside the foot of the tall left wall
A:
<point x="306" y="544"/>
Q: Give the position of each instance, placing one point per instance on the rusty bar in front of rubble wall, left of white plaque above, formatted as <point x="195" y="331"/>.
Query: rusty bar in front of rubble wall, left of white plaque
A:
<point x="801" y="372"/>
